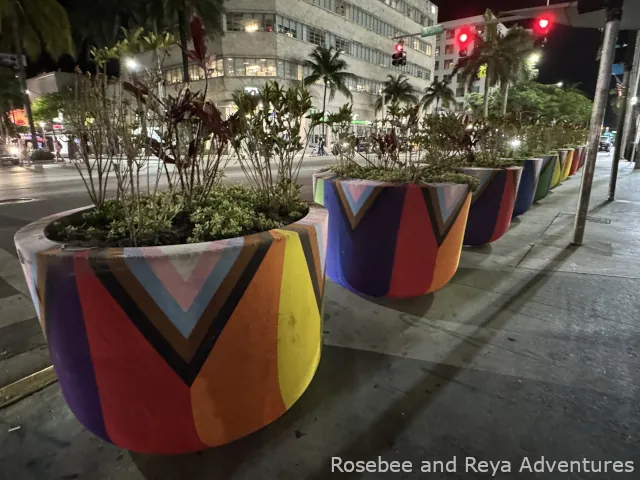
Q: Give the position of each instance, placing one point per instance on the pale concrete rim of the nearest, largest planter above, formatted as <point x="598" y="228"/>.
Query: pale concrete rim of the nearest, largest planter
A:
<point x="34" y="235"/>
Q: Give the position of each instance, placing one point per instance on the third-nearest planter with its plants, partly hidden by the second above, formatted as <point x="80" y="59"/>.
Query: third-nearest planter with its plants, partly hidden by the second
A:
<point x="489" y="159"/>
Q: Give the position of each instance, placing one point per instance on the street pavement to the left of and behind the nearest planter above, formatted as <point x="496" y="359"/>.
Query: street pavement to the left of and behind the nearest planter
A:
<point x="26" y="195"/>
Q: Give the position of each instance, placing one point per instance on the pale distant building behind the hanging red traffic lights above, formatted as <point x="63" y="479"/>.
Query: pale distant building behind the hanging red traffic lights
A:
<point x="447" y="56"/>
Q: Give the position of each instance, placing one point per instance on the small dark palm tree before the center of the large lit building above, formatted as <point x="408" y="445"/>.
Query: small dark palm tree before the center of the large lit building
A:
<point x="327" y="65"/>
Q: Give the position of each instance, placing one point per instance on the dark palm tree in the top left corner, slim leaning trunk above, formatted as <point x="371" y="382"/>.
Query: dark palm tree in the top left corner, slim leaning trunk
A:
<point x="35" y="25"/>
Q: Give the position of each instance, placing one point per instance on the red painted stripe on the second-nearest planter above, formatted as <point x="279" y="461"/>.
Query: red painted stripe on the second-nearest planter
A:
<point x="416" y="248"/>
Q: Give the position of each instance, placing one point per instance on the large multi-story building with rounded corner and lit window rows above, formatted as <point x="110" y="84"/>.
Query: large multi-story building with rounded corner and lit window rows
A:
<point x="270" y="39"/>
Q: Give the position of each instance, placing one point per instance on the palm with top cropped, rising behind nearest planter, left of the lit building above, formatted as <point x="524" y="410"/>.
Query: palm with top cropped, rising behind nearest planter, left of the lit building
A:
<point x="164" y="15"/>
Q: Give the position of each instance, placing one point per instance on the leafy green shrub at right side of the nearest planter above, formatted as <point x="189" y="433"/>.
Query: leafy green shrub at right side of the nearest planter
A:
<point x="268" y="128"/>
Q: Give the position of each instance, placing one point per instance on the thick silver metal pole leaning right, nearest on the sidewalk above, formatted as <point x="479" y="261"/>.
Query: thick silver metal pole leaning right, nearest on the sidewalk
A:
<point x="611" y="30"/>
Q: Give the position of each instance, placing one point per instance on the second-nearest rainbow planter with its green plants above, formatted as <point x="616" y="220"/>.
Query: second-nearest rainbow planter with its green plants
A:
<point x="397" y="220"/>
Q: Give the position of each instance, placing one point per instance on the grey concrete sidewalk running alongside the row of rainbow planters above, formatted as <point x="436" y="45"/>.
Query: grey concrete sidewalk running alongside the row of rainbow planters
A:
<point x="531" y="351"/>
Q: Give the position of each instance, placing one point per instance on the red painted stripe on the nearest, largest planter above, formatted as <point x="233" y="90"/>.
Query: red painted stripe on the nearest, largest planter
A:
<point x="146" y="406"/>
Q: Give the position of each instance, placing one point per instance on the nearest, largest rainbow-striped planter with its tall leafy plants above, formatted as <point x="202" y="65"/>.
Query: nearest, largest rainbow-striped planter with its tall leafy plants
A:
<point x="180" y="313"/>
